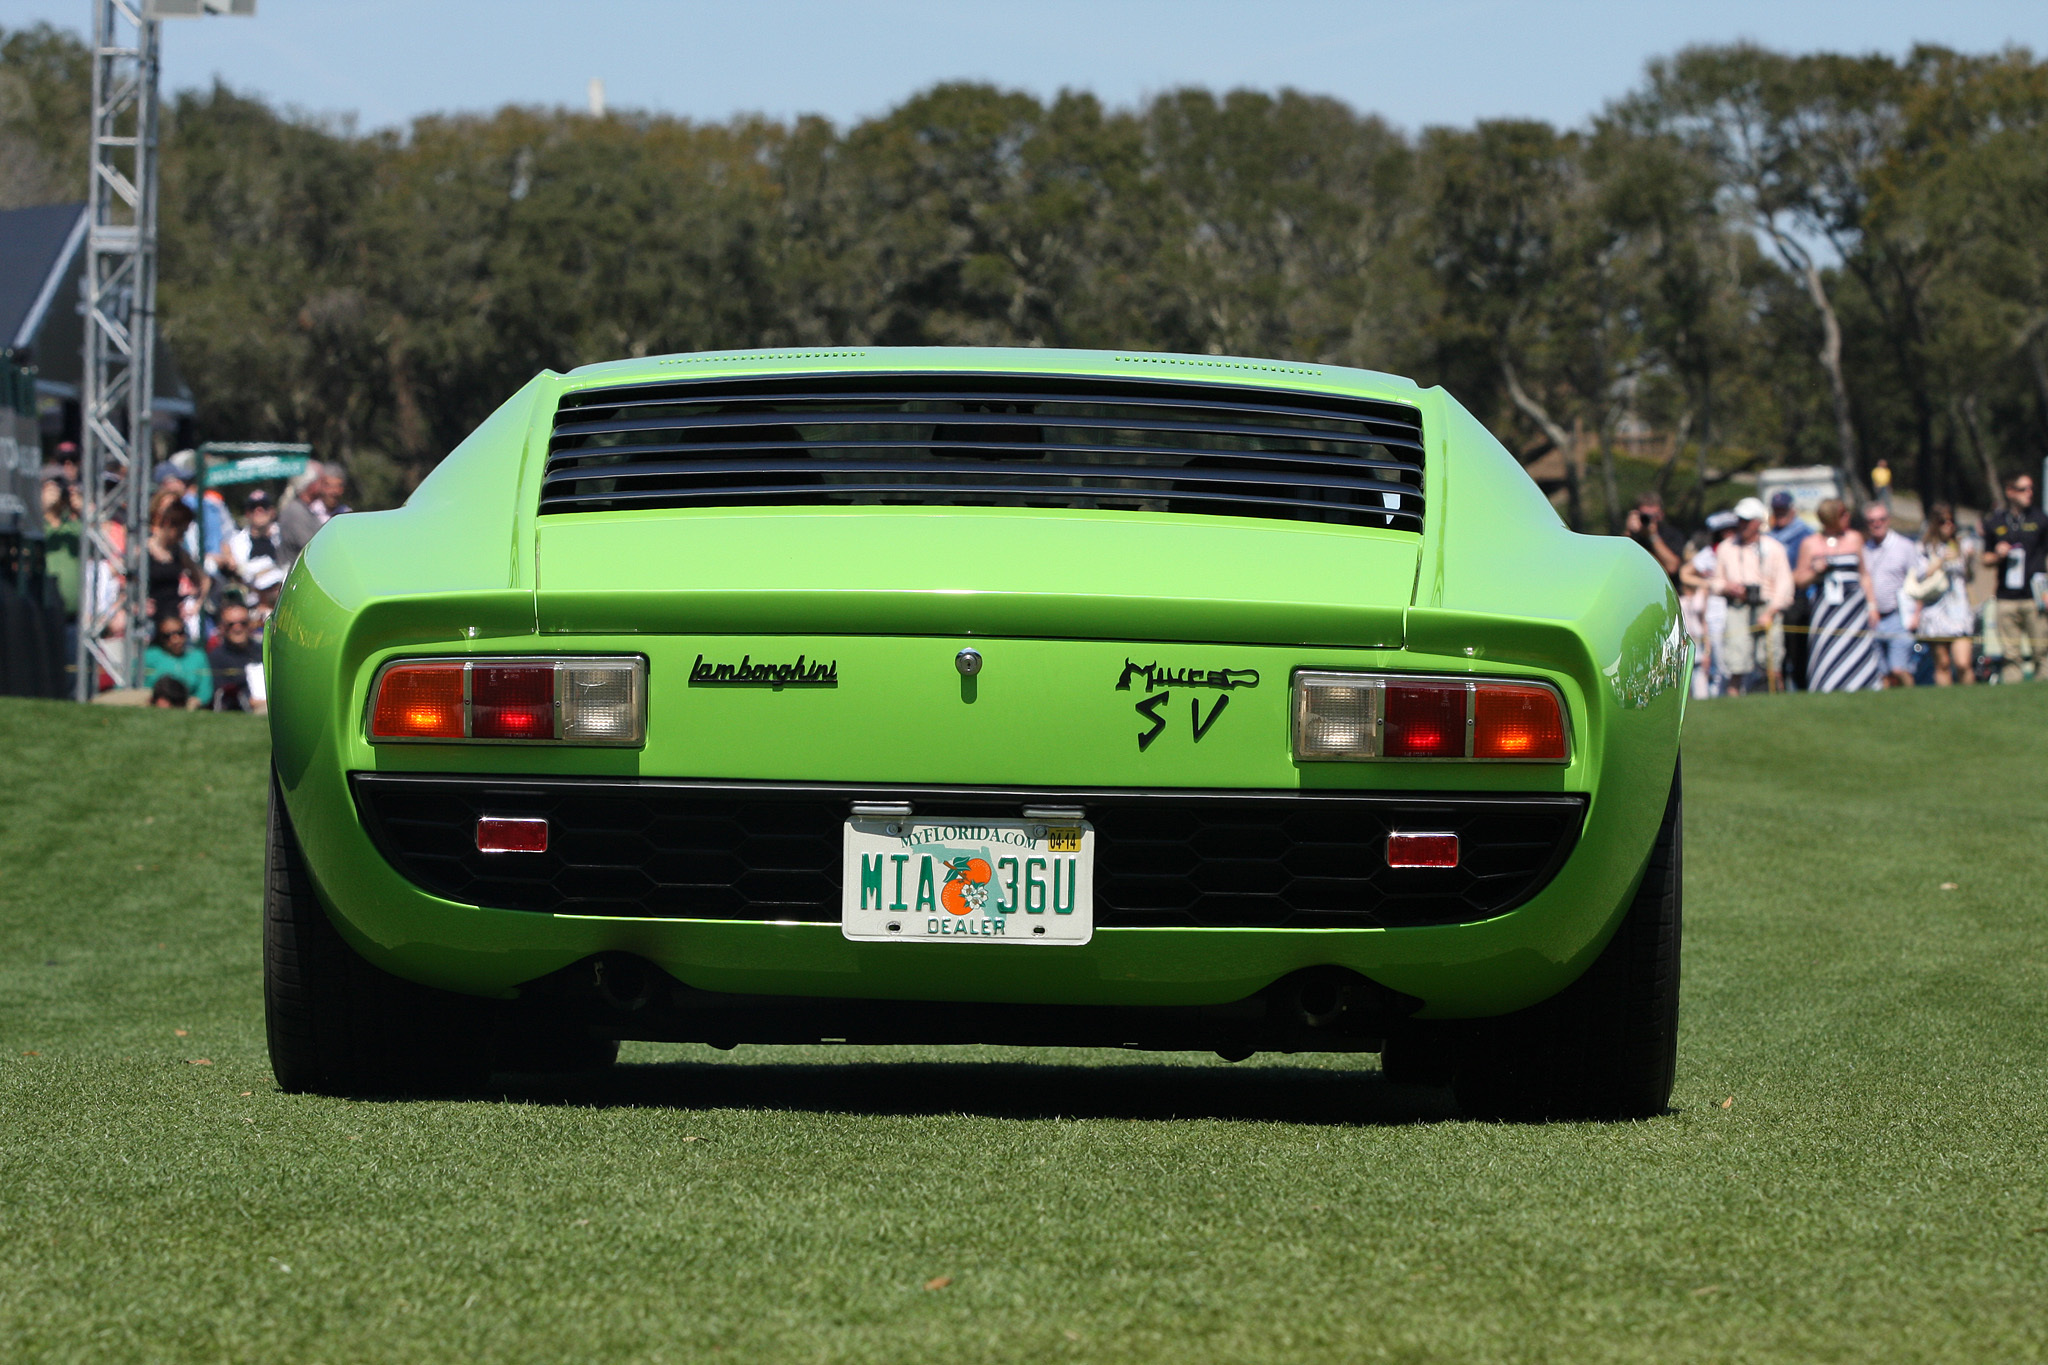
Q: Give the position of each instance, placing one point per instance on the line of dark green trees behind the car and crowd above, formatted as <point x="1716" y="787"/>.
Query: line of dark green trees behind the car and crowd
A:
<point x="1752" y="259"/>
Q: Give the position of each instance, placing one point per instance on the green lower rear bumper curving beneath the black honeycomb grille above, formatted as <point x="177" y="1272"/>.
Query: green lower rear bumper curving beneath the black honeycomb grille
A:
<point x="1471" y="969"/>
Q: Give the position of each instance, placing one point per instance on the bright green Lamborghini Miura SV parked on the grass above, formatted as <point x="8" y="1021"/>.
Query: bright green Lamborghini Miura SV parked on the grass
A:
<point x="978" y="697"/>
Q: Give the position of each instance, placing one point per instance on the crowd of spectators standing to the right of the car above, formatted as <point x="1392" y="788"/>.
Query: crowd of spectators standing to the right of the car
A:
<point x="1775" y="603"/>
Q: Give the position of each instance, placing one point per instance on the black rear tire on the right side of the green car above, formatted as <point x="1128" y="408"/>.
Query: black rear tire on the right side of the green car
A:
<point x="1607" y="1047"/>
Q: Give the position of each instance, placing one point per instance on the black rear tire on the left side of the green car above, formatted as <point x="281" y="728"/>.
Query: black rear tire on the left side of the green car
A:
<point x="341" y="1026"/>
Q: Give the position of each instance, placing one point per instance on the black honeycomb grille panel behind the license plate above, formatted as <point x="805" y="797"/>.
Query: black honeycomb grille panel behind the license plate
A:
<point x="708" y="850"/>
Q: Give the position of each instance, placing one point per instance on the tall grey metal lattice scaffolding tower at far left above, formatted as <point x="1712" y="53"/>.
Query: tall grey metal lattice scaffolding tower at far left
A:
<point x="118" y="449"/>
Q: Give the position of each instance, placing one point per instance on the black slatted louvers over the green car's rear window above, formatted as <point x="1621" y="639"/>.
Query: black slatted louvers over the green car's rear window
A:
<point x="988" y="441"/>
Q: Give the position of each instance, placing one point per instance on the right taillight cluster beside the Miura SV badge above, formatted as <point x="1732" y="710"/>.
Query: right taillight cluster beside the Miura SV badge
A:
<point x="1351" y="717"/>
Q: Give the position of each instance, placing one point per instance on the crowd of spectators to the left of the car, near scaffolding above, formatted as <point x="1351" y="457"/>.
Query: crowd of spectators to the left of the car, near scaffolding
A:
<point x="212" y="576"/>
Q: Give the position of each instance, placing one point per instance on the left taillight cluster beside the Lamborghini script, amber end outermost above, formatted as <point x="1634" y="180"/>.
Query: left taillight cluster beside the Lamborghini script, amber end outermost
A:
<point x="511" y="701"/>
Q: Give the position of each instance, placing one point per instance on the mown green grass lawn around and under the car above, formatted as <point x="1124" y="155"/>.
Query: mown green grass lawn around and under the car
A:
<point x="1854" y="1168"/>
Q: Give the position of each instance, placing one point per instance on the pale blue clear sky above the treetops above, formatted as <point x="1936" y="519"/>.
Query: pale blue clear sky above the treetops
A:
<point x="1416" y="62"/>
